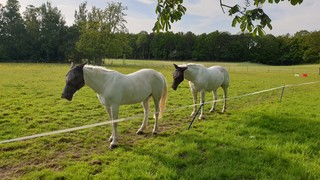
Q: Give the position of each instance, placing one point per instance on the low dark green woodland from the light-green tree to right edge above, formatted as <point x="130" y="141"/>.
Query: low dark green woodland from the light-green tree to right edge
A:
<point x="222" y="46"/>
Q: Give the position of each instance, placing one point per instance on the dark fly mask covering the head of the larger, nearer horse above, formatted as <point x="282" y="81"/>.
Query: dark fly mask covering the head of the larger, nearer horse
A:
<point x="74" y="81"/>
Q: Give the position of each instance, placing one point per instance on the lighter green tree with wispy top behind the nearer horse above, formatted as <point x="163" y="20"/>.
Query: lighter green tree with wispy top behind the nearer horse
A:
<point x="97" y="32"/>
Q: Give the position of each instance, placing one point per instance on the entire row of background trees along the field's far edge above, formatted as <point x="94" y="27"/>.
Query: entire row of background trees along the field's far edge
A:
<point x="40" y="34"/>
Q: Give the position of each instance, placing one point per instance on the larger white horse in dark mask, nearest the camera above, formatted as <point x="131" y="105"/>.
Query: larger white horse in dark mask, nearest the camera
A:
<point x="114" y="89"/>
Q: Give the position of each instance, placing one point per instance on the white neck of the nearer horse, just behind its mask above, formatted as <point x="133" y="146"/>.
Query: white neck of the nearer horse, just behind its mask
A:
<point x="96" y="79"/>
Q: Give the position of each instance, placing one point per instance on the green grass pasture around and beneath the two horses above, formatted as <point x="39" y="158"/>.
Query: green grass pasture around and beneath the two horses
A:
<point x="257" y="138"/>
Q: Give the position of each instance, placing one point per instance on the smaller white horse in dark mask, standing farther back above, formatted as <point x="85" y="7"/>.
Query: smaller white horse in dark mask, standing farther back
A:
<point x="202" y="79"/>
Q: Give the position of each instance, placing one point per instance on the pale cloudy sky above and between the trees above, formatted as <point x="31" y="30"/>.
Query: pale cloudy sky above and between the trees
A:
<point x="202" y="16"/>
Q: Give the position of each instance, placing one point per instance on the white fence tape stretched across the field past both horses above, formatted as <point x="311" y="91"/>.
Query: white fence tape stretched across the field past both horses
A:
<point x="139" y="116"/>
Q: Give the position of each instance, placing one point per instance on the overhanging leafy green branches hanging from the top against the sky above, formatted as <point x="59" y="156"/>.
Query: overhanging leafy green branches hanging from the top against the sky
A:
<point x="253" y="20"/>
